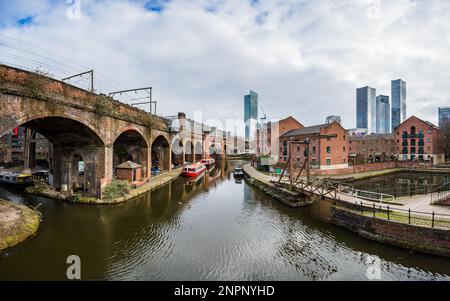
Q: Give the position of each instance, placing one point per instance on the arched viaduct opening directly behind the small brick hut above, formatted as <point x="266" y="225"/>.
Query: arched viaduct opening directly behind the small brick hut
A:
<point x="131" y="148"/>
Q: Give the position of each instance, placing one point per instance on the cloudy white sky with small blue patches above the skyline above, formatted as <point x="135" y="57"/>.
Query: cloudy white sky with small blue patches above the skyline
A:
<point x="304" y="58"/>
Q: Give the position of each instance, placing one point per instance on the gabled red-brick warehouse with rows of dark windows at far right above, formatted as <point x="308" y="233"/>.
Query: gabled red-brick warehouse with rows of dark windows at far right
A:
<point x="419" y="140"/>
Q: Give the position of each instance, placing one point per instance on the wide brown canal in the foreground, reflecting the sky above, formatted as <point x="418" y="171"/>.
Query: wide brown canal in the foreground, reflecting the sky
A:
<point x="213" y="229"/>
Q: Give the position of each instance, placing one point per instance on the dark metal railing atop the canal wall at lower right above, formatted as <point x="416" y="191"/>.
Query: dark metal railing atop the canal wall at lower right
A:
<point x="406" y="216"/>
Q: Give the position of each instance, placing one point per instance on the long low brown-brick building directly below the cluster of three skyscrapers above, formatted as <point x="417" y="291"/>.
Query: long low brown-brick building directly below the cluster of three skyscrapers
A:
<point x="371" y="148"/>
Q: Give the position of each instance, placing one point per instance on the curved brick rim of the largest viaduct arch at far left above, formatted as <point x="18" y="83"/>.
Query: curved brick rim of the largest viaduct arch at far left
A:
<point x="9" y="126"/>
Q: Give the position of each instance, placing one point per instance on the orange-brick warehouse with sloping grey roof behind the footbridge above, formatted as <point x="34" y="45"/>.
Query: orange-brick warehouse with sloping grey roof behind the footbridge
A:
<point x="325" y="153"/>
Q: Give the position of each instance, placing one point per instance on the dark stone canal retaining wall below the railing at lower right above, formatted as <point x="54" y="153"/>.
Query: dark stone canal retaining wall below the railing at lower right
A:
<point x="421" y="239"/>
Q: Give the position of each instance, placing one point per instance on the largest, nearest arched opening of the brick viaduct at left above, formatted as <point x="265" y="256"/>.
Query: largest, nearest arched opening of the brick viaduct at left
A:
<point x="75" y="154"/>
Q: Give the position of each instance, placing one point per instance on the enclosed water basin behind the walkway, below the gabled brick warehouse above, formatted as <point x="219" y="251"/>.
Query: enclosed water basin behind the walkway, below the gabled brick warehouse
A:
<point x="404" y="183"/>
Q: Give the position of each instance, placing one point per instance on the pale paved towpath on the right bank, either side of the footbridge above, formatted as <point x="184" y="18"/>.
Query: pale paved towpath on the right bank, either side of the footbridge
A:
<point x="419" y="203"/>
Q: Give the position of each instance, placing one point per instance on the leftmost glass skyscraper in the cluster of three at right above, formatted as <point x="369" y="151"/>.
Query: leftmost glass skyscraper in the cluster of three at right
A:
<point x="366" y="109"/>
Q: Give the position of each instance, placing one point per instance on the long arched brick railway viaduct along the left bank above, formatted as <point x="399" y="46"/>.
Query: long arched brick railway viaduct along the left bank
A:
<point x="98" y="130"/>
